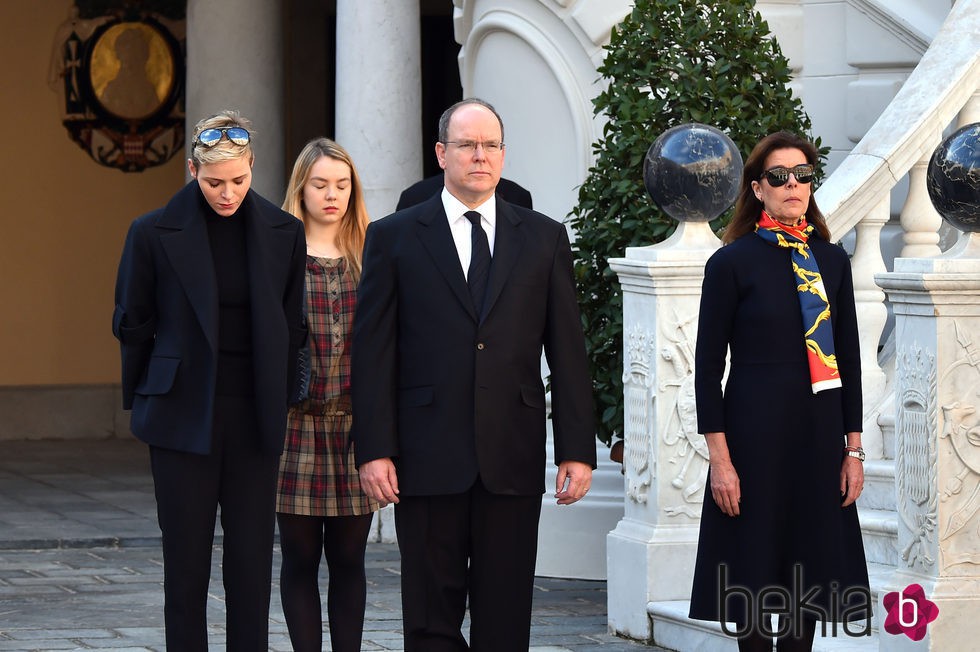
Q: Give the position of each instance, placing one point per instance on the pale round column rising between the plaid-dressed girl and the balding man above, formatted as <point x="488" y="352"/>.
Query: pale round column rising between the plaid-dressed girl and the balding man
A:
<point x="379" y="96"/>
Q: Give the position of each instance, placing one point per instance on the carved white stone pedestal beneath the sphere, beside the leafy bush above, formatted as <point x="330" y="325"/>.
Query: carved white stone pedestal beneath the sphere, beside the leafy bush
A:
<point x="650" y="554"/>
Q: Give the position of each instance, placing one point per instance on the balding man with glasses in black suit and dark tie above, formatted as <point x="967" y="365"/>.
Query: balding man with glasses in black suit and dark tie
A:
<point x="459" y="296"/>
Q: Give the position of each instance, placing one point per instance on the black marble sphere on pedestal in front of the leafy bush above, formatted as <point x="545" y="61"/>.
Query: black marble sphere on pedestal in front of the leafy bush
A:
<point x="692" y="172"/>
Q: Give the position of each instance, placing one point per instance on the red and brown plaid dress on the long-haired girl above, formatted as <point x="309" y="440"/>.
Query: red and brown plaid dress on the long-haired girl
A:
<point x="317" y="474"/>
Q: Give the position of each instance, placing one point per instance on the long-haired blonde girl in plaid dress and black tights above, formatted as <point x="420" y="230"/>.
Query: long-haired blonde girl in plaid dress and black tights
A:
<point x="320" y="505"/>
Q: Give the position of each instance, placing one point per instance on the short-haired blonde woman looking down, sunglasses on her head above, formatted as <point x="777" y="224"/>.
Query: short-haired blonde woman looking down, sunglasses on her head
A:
<point x="209" y="314"/>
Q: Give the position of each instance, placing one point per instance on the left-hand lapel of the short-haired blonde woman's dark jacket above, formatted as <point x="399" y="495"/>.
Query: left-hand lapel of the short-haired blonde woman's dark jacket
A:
<point x="186" y="242"/>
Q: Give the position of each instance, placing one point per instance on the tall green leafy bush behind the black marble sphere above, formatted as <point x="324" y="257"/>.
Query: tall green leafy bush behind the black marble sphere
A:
<point x="670" y="62"/>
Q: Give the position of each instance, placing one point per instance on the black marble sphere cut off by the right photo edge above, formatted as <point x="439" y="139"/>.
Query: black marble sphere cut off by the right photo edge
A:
<point x="953" y="178"/>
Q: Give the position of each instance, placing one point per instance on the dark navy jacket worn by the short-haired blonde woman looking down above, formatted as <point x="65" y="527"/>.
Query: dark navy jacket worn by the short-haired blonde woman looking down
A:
<point x="166" y="319"/>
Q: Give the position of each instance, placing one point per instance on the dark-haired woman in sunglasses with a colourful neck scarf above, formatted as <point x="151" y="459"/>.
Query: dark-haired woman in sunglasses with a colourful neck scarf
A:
<point x="779" y="526"/>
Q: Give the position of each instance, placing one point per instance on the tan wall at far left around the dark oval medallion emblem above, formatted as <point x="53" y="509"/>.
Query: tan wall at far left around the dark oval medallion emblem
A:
<point x="63" y="219"/>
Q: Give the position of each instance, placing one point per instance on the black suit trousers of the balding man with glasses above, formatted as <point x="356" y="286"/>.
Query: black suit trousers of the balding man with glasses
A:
<point x="474" y="545"/>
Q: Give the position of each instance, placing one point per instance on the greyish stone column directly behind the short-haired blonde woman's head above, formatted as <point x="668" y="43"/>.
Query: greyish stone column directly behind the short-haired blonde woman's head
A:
<point x="234" y="61"/>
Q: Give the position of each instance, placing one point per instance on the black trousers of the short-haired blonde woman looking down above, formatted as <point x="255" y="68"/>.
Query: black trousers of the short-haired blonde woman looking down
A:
<point x="241" y="478"/>
